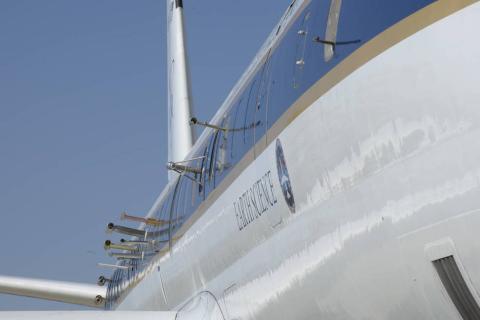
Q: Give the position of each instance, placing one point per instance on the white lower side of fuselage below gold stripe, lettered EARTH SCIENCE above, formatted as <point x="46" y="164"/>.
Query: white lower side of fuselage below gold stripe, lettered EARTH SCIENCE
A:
<point x="385" y="172"/>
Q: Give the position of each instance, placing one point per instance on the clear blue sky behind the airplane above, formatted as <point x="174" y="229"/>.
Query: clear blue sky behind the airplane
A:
<point x="83" y="119"/>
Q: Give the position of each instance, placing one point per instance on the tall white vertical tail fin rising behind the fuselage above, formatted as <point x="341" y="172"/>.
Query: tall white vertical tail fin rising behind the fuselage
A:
<point x="180" y="133"/>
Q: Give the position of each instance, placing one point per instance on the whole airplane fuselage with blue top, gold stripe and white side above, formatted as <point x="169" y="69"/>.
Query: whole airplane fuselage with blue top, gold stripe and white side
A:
<point x="346" y="169"/>
